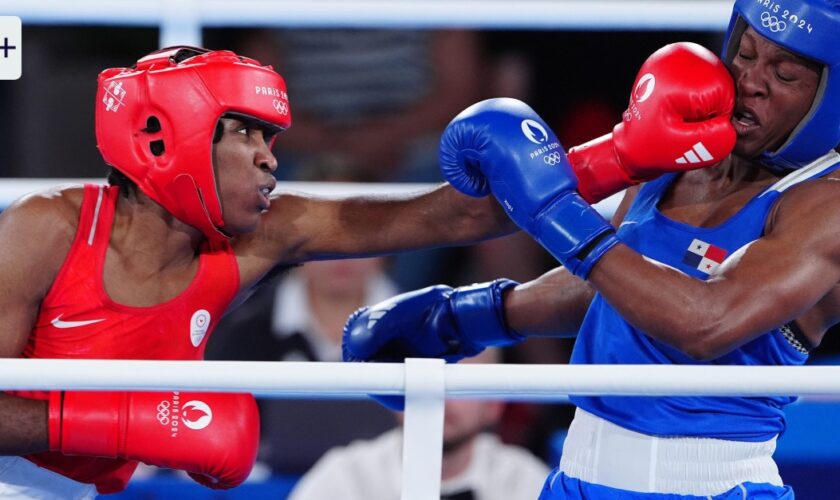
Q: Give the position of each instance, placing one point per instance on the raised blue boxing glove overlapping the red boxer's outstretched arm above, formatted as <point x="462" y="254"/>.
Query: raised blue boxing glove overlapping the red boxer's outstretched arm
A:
<point x="502" y="146"/>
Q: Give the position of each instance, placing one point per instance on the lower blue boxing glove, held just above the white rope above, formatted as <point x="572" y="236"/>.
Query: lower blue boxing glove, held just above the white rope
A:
<point x="435" y="322"/>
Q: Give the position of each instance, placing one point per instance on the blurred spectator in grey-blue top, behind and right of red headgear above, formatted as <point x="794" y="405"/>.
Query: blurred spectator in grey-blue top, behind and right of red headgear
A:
<point x="378" y="97"/>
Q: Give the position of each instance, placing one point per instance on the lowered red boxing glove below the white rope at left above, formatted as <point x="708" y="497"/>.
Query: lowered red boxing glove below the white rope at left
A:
<point x="212" y="436"/>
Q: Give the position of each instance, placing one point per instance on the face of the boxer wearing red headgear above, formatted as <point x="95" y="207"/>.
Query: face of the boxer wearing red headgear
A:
<point x="243" y="164"/>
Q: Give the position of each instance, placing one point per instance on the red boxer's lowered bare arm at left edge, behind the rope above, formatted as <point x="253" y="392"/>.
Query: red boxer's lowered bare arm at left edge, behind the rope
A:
<point x="35" y="236"/>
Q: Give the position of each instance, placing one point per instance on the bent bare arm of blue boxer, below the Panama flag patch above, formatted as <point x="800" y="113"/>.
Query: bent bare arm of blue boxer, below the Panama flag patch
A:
<point x="777" y="279"/>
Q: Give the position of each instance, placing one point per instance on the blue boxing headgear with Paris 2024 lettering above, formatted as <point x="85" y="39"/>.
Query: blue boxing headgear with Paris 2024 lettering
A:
<point x="809" y="28"/>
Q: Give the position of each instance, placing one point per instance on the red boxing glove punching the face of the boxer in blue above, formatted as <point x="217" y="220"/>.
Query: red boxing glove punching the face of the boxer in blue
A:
<point x="678" y="119"/>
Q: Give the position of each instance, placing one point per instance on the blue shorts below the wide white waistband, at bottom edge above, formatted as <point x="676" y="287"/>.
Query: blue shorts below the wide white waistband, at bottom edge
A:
<point x="559" y="486"/>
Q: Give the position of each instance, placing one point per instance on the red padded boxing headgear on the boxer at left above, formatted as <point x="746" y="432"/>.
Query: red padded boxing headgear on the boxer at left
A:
<point x="155" y="123"/>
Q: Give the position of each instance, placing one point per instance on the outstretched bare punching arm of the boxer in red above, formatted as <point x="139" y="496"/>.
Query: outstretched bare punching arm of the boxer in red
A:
<point x="300" y="228"/>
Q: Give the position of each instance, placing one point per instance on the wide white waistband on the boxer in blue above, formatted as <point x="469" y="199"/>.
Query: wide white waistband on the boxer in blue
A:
<point x="600" y="452"/>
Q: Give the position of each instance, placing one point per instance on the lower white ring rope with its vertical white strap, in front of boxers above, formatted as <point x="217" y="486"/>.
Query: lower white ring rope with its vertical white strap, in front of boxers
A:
<point x="425" y="382"/>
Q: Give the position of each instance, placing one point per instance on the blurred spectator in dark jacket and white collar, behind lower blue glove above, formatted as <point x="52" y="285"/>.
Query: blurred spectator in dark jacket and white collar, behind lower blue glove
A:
<point x="301" y="319"/>
